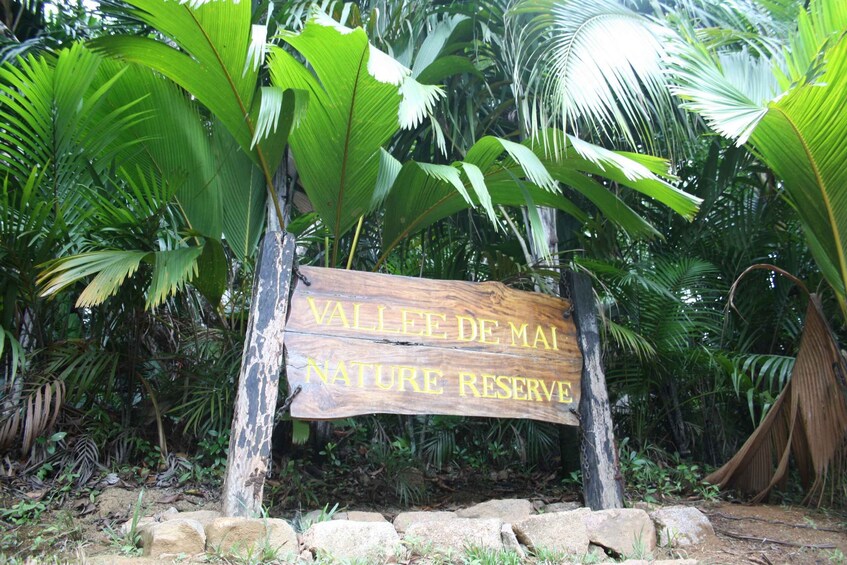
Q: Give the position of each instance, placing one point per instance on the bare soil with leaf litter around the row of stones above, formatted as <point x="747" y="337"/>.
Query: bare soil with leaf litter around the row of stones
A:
<point x="749" y="534"/>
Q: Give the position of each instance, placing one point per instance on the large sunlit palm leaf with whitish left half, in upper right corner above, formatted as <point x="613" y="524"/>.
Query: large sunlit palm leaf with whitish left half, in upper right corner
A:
<point x="796" y="133"/>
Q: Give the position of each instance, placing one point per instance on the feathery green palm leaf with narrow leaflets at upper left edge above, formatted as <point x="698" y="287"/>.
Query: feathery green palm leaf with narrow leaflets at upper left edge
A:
<point x="56" y="119"/>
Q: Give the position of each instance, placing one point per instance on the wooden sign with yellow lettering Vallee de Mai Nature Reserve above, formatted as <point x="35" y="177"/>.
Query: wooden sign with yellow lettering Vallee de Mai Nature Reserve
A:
<point x="361" y="343"/>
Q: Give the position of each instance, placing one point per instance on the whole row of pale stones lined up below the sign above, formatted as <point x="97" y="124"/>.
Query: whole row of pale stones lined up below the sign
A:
<point x="425" y="532"/>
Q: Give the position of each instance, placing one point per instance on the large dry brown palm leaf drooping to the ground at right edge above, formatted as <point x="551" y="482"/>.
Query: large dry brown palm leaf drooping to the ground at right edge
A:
<point x="808" y="421"/>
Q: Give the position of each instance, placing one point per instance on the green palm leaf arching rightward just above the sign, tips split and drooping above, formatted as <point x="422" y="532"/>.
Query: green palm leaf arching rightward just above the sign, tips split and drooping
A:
<point x="528" y="177"/>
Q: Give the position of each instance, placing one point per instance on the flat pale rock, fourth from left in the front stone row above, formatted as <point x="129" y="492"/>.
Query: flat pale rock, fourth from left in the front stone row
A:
<point x="454" y="536"/>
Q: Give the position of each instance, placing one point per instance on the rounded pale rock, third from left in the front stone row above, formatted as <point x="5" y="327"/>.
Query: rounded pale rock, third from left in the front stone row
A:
<point x="344" y="539"/>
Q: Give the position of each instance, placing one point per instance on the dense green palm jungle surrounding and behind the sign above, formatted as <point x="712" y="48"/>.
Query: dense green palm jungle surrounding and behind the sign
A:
<point x="661" y="148"/>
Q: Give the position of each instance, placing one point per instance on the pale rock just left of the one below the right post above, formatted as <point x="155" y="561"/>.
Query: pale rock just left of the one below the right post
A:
<point x="556" y="531"/>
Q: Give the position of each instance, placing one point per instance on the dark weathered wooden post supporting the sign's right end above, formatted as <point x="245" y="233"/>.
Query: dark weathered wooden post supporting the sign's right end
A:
<point x="601" y="481"/>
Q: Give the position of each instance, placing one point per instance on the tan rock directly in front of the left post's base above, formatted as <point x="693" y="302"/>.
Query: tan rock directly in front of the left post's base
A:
<point x="254" y="536"/>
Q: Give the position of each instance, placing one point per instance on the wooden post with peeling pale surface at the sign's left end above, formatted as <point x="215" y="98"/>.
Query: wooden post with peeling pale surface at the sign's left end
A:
<point x="258" y="380"/>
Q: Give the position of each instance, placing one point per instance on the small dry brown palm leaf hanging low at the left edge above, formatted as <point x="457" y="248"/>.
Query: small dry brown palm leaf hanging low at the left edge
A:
<point x="37" y="414"/>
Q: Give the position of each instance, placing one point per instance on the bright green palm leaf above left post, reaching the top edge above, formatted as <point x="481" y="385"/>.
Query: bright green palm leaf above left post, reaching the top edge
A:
<point x="214" y="63"/>
